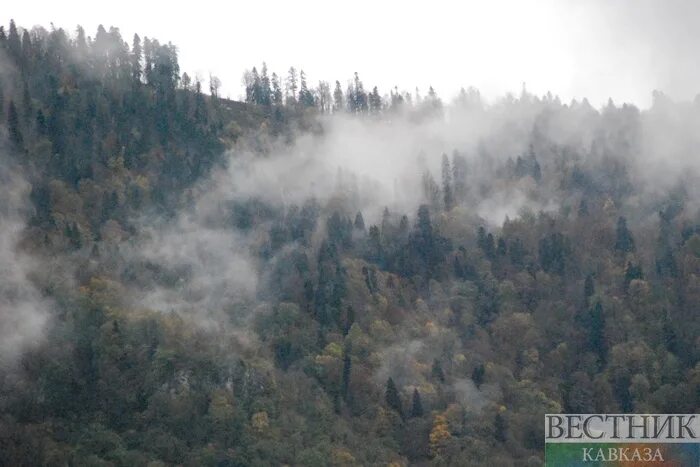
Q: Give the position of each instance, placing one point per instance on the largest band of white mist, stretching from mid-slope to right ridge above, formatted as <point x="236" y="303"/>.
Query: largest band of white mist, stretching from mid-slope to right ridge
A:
<point x="369" y="164"/>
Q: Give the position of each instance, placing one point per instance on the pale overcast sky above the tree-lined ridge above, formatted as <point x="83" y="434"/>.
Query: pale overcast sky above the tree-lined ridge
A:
<point x="599" y="49"/>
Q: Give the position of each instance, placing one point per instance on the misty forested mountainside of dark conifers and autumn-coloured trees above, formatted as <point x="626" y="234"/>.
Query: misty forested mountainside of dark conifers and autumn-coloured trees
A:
<point x="328" y="275"/>
